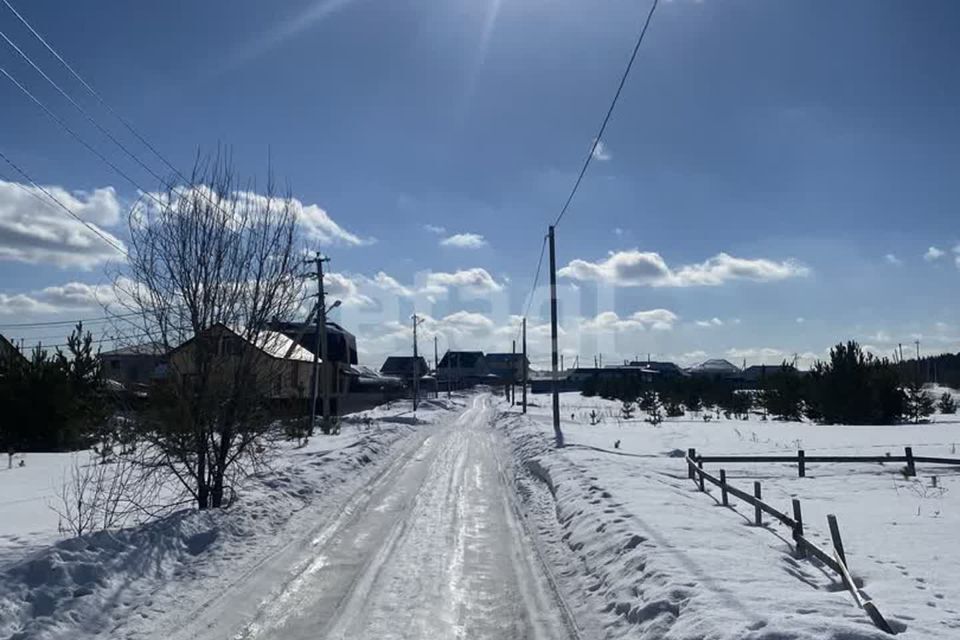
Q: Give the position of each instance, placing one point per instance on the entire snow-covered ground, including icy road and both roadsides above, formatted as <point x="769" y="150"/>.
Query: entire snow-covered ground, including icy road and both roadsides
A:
<point x="375" y="532"/>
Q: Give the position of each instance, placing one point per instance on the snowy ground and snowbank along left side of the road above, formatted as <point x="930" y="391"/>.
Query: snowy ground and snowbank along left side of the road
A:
<point x="147" y="580"/>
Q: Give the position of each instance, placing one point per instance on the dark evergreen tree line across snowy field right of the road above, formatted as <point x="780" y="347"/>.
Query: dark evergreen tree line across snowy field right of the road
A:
<point x="851" y="387"/>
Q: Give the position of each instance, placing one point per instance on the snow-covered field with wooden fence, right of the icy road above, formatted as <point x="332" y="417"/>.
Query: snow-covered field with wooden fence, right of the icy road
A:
<point x="671" y="563"/>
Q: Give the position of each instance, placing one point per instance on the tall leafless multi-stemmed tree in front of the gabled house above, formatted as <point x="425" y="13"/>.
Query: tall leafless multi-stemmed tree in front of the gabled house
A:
<point x="210" y="265"/>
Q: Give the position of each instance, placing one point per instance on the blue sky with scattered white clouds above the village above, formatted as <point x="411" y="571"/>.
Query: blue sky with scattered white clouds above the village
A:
<point x="772" y="179"/>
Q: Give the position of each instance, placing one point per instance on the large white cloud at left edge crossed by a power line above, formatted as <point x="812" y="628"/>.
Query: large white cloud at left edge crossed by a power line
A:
<point x="35" y="230"/>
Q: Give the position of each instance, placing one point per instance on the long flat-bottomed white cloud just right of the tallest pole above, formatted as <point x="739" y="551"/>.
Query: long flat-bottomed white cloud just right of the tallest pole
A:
<point x="646" y="268"/>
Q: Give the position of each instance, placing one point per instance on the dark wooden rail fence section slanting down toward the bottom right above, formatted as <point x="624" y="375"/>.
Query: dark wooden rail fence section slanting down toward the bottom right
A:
<point x="836" y="562"/>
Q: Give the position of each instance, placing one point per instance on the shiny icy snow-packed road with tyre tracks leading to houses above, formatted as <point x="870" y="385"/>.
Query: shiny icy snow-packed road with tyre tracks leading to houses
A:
<point x="433" y="550"/>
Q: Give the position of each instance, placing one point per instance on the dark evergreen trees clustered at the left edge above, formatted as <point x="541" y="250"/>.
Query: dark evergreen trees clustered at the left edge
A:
<point x="54" y="401"/>
